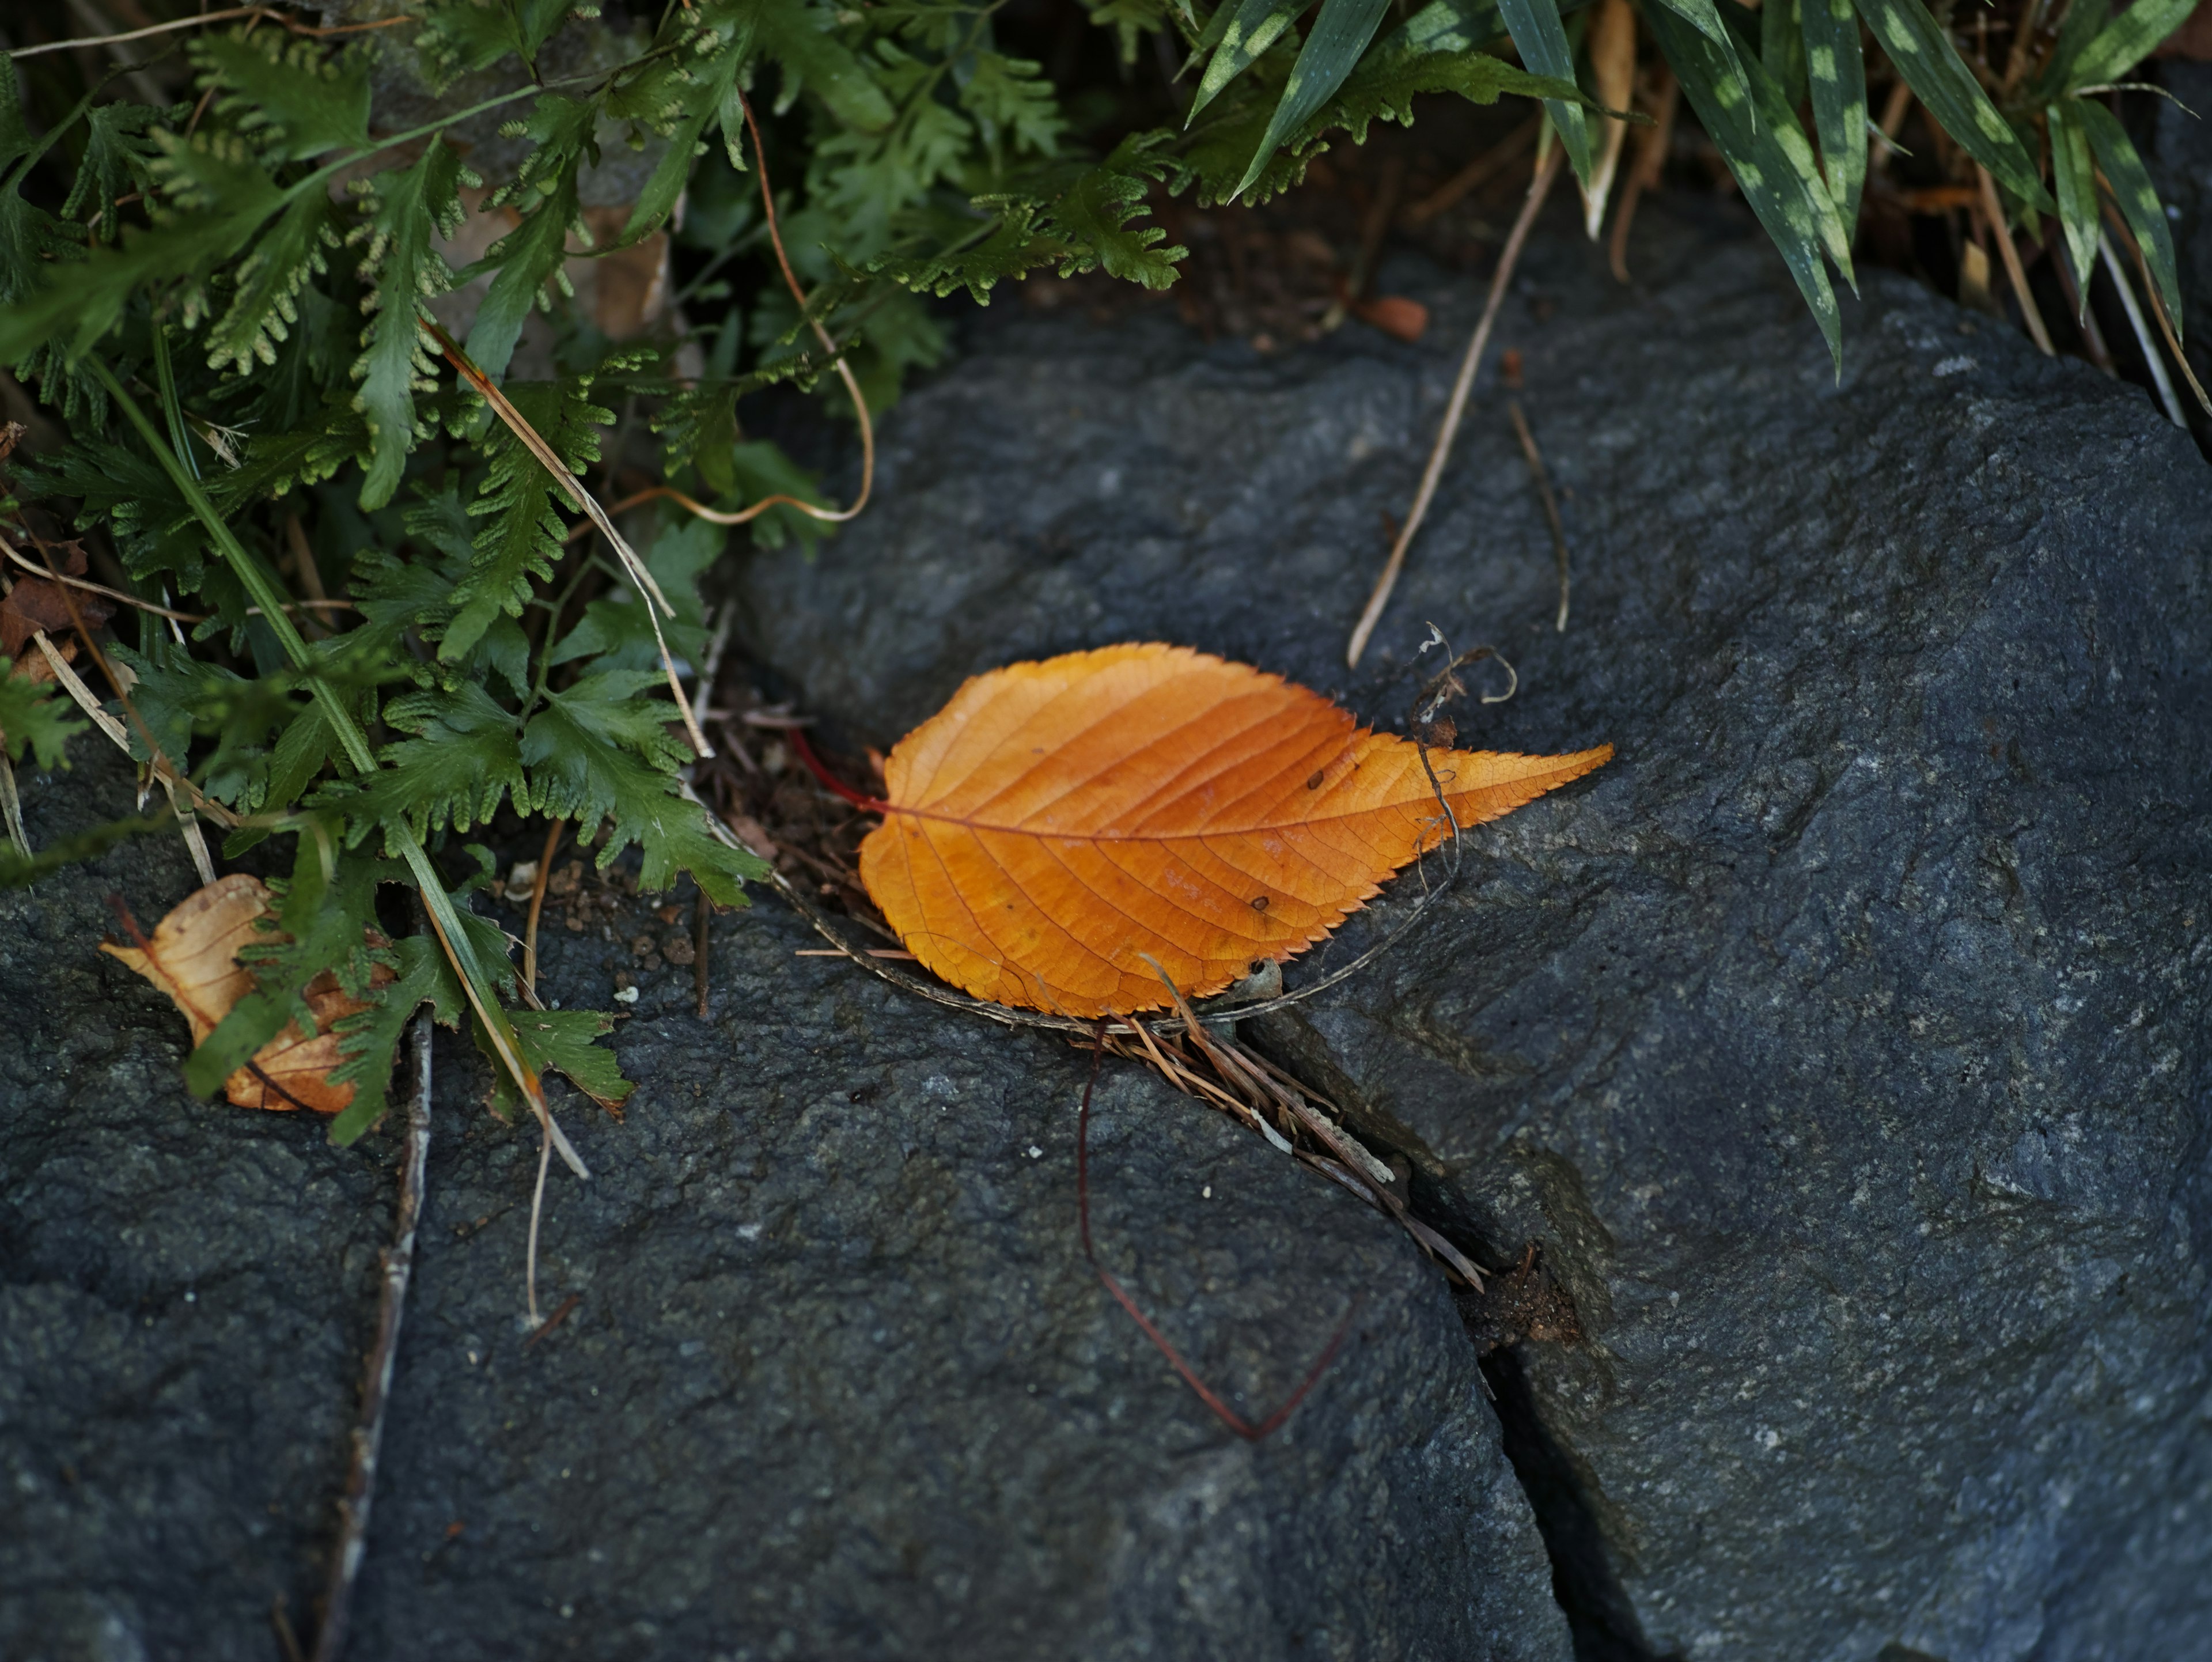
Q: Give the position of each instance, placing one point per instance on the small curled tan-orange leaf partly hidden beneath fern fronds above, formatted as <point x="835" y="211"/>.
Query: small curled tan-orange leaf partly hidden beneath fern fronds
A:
<point x="194" y="957"/>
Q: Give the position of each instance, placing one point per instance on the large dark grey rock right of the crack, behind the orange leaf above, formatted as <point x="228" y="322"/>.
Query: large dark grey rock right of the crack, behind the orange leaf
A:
<point x="1846" y="1041"/>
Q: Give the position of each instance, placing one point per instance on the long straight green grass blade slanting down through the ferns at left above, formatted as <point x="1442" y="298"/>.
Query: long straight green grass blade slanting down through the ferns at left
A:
<point x="357" y="751"/>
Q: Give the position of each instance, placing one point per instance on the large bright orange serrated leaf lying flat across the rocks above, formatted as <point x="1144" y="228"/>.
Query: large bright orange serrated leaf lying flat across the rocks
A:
<point x="1061" y="822"/>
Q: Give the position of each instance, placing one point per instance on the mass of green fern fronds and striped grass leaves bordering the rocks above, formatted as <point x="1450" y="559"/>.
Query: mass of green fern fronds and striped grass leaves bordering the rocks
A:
<point x="222" y="267"/>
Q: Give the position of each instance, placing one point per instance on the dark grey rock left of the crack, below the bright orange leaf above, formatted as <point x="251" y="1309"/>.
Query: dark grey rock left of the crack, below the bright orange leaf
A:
<point x="839" y="1380"/>
